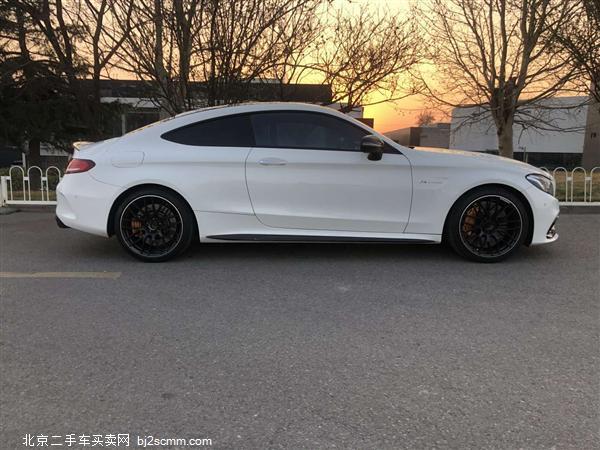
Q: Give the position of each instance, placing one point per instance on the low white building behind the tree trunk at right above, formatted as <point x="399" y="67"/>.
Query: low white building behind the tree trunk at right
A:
<point x="569" y="125"/>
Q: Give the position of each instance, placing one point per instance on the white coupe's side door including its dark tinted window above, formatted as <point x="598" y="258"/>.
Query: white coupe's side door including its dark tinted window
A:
<point x="307" y="171"/>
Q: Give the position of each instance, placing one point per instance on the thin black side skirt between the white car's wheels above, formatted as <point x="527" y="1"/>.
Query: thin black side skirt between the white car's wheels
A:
<point x="308" y="238"/>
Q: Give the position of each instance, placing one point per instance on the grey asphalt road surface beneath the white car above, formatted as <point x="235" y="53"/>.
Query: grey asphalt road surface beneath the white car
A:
<point x="302" y="346"/>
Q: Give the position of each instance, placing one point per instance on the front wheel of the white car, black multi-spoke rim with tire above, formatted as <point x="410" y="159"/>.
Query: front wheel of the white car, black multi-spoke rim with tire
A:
<point x="487" y="224"/>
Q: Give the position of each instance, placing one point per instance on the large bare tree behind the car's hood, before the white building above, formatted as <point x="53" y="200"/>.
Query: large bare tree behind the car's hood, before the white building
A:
<point x="499" y="55"/>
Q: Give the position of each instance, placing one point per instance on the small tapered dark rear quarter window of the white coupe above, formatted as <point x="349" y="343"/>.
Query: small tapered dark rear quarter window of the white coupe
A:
<point x="231" y="131"/>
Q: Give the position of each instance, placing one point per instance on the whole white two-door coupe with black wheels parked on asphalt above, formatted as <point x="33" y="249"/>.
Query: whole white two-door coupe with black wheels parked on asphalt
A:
<point x="274" y="172"/>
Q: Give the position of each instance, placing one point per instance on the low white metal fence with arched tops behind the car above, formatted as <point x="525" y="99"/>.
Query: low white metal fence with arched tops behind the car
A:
<point x="577" y="186"/>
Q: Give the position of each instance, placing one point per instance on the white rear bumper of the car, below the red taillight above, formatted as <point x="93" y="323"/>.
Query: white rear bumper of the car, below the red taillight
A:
<point x="84" y="203"/>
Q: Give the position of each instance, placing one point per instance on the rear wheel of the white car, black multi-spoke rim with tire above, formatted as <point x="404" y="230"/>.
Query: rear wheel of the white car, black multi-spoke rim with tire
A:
<point x="154" y="224"/>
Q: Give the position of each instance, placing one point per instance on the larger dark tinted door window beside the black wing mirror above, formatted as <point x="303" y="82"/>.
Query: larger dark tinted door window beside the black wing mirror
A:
<point x="305" y="130"/>
